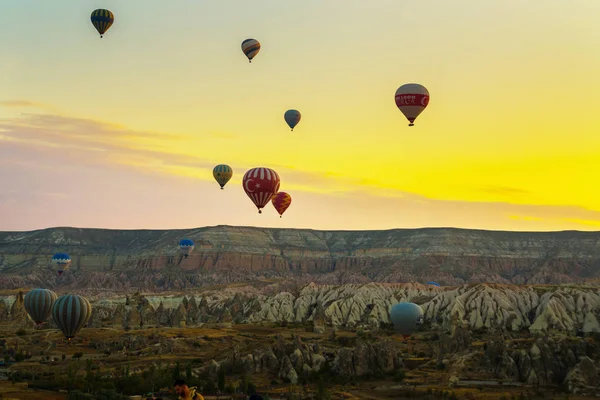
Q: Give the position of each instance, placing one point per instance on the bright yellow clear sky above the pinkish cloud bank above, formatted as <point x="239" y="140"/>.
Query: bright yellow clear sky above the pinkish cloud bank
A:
<point x="513" y="115"/>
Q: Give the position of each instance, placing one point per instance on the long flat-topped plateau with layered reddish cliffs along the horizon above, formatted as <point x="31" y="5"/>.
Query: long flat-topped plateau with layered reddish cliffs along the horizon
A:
<point x="149" y="261"/>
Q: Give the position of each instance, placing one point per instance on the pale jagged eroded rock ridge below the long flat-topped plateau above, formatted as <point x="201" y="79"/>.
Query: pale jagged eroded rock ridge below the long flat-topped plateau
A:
<point x="489" y="307"/>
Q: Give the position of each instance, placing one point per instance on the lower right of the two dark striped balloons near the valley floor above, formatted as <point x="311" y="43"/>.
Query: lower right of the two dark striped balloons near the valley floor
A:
<point x="70" y="313"/>
